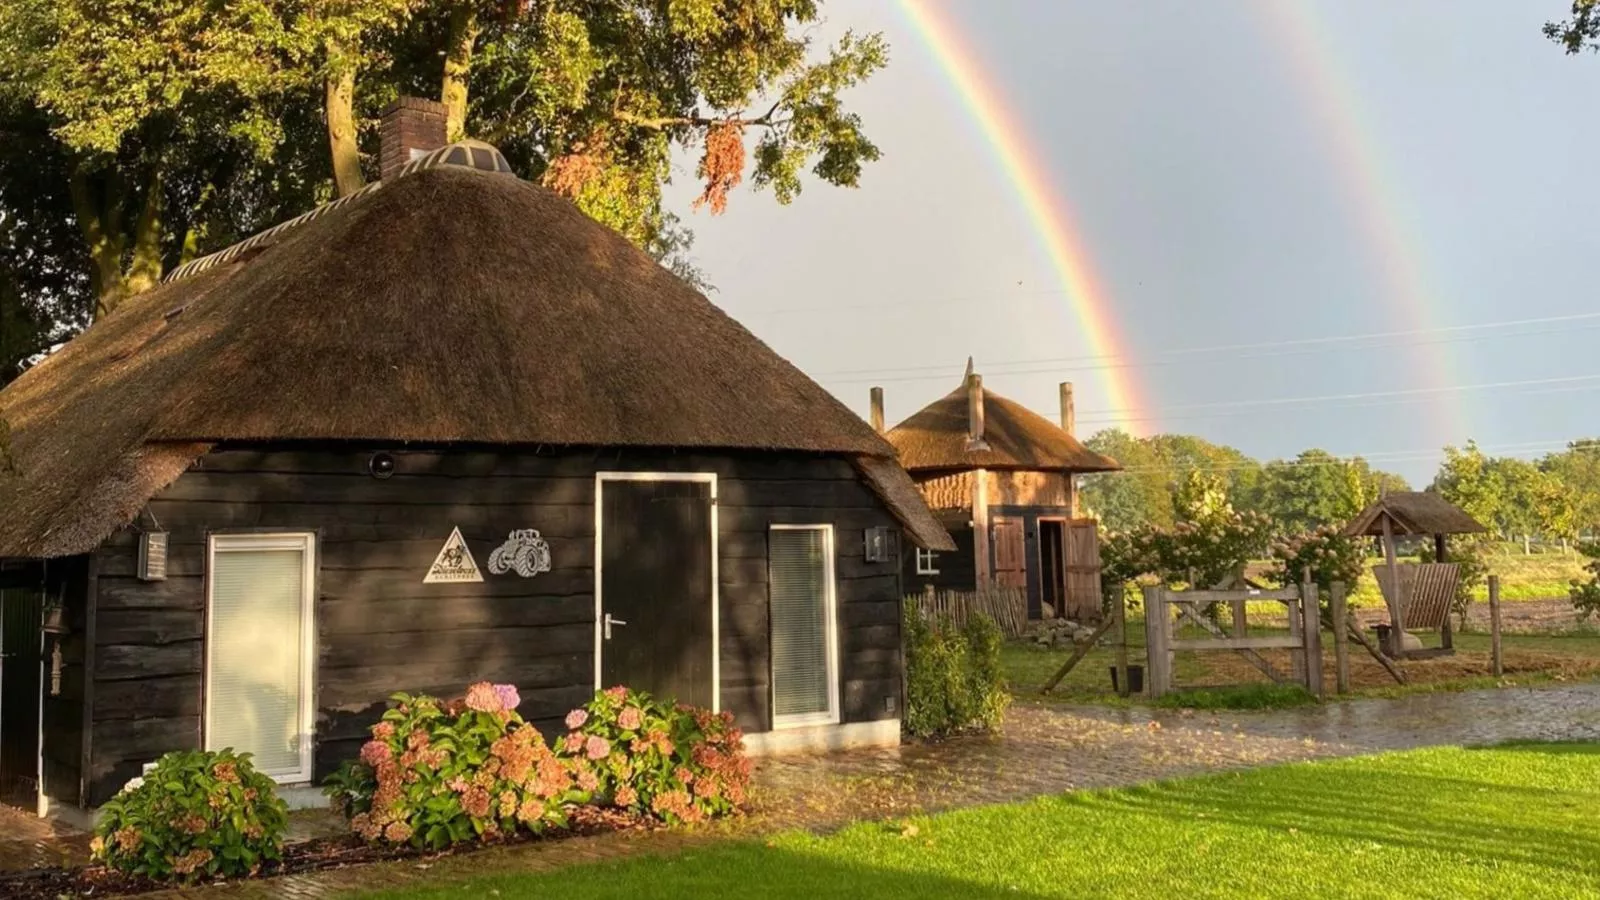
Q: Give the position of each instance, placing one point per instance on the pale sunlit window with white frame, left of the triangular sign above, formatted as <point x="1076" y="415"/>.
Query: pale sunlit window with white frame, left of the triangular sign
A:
<point x="260" y="641"/>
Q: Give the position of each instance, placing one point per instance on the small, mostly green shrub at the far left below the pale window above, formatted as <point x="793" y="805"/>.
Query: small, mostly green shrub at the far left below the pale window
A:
<point x="196" y="814"/>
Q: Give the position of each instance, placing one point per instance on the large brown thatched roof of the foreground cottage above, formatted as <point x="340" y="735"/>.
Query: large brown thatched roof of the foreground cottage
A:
<point x="447" y="307"/>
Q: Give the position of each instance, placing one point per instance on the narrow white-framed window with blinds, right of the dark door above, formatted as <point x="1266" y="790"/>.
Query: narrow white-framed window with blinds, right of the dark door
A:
<point x="804" y="625"/>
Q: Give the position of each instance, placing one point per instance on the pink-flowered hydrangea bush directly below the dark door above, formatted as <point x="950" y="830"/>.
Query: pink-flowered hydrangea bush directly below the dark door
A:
<point x="671" y="761"/>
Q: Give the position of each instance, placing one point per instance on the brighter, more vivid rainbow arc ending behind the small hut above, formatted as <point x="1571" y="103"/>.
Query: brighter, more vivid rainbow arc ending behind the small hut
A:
<point x="1046" y="209"/>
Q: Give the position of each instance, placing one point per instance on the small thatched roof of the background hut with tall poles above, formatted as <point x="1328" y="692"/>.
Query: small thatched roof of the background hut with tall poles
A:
<point x="937" y="438"/>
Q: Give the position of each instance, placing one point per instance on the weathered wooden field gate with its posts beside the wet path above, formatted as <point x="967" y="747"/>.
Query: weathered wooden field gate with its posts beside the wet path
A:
<point x="1303" y="641"/>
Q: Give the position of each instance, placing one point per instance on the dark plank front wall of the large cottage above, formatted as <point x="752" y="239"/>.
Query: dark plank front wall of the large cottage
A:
<point x="382" y="630"/>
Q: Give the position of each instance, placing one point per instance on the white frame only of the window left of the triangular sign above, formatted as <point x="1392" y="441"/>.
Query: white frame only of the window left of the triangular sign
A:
<point x="305" y="542"/>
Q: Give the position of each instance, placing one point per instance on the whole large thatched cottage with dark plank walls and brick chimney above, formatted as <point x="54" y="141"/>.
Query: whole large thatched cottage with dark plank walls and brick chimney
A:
<point x="439" y="432"/>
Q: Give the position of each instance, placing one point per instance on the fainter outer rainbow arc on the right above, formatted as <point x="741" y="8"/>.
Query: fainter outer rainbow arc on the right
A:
<point x="1375" y="195"/>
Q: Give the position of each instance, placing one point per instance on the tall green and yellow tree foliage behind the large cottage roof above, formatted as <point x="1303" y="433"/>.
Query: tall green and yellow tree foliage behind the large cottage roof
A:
<point x="170" y="129"/>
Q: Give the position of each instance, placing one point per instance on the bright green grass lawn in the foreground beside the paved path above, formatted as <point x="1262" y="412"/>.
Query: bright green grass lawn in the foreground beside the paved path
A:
<point x="1446" y="822"/>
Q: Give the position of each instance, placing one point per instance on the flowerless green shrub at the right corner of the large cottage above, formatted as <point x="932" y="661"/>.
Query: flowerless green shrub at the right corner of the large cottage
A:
<point x="953" y="675"/>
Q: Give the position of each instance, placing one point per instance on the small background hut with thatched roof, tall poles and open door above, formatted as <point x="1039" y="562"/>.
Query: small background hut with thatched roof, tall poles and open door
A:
<point x="1002" y="481"/>
